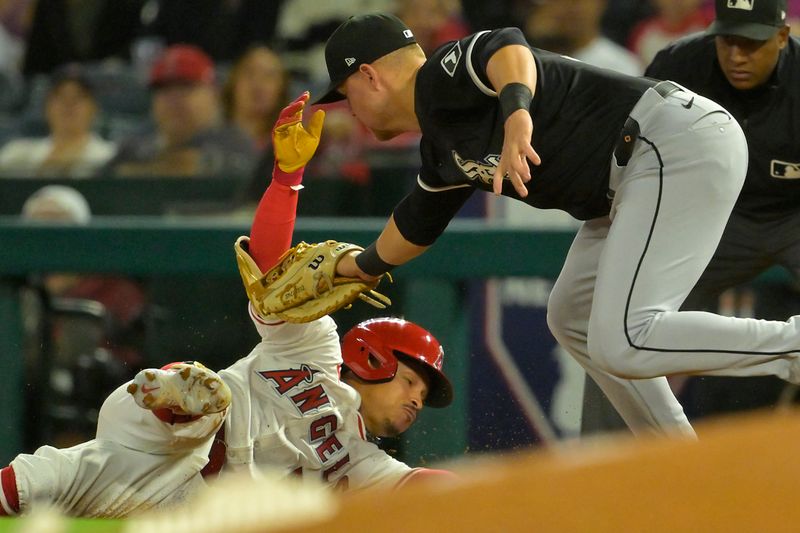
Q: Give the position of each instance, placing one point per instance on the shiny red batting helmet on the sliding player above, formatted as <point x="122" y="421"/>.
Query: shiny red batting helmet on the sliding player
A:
<point x="371" y="350"/>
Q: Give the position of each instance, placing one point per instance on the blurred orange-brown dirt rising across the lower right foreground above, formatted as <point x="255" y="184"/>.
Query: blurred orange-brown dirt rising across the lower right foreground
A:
<point x="742" y="475"/>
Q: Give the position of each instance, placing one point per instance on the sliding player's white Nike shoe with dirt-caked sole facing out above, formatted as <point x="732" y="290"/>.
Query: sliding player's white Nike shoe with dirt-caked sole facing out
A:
<point x="183" y="388"/>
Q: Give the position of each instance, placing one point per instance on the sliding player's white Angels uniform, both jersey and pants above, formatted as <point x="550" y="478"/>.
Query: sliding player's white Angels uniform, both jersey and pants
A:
<point x="289" y="413"/>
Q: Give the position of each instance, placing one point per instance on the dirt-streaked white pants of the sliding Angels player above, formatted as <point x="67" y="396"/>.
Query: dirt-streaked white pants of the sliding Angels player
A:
<point x="135" y="463"/>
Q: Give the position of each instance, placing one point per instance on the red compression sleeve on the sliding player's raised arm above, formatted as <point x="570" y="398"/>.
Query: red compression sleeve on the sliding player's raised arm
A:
<point x="273" y="225"/>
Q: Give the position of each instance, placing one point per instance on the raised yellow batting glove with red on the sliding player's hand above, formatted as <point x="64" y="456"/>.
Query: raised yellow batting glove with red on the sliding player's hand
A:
<point x="294" y="145"/>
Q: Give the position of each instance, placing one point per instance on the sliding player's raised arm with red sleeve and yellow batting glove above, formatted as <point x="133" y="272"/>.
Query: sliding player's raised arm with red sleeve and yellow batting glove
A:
<point x="294" y="145"/>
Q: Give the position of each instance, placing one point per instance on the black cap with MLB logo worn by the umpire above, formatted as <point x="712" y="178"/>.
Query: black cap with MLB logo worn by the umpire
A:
<point x="753" y="19"/>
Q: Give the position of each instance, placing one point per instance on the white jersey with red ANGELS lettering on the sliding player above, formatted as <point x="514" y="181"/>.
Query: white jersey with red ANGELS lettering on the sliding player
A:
<point x="291" y="412"/>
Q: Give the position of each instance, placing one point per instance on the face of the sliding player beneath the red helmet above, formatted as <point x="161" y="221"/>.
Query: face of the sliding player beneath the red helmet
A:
<point x="391" y="407"/>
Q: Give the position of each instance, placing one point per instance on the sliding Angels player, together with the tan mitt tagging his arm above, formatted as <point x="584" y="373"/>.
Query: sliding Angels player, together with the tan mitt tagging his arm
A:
<point x="298" y="404"/>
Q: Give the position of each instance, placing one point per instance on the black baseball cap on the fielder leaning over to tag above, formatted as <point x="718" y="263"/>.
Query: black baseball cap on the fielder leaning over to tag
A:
<point x="361" y="39"/>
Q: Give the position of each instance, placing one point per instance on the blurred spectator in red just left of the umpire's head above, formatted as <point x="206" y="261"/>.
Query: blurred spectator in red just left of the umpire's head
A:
<point x="673" y="19"/>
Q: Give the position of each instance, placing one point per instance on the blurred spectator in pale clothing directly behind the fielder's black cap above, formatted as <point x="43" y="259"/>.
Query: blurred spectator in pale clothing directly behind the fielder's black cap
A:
<point x="305" y="25"/>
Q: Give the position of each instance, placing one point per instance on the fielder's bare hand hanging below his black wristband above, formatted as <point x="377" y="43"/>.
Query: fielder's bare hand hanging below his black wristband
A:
<point x="517" y="151"/>
